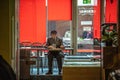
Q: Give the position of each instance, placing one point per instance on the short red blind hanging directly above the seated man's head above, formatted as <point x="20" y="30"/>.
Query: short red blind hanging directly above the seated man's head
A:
<point x="59" y="9"/>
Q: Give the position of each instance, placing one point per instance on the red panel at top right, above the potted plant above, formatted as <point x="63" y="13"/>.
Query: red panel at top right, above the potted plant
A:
<point x="111" y="11"/>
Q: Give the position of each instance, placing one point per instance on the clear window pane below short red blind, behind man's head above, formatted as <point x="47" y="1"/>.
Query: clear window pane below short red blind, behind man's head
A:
<point x="63" y="29"/>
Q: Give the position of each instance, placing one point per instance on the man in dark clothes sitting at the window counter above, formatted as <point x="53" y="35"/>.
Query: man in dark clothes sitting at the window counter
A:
<point x="55" y="45"/>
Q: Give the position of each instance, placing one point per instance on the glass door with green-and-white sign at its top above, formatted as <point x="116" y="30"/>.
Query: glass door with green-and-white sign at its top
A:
<point x="88" y="26"/>
